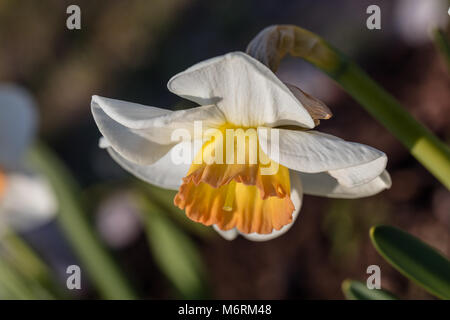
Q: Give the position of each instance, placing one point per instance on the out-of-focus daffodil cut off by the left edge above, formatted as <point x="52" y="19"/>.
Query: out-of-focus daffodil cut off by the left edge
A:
<point x="26" y="199"/>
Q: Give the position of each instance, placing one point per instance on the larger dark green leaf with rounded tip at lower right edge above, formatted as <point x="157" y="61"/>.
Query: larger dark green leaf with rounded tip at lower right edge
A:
<point x="414" y="259"/>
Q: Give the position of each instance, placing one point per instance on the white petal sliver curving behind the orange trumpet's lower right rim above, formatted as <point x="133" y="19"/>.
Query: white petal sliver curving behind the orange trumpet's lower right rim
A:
<point x="296" y="197"/>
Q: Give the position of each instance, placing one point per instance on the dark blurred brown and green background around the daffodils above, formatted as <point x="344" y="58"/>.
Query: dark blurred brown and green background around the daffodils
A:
<point x="145" y="246"/>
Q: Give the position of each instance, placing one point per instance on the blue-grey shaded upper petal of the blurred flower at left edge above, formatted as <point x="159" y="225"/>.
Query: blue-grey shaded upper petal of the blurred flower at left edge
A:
<point x="17" y="124"/>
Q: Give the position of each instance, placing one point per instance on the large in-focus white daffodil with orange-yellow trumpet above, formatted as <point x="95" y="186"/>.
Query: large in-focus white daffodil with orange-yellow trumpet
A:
<point x="236" y="91"/>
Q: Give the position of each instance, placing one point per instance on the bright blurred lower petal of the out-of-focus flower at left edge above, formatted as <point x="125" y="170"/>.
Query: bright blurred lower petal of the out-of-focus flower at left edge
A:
<point x="28" y="201"/>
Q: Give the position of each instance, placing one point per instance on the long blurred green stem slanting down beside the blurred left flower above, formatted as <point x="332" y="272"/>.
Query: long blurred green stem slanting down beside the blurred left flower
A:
<point x="99" y="265"/>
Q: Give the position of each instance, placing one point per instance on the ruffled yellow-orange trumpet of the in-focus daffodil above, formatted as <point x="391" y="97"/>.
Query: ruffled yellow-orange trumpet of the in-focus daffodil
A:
<point x="233" y="184"/>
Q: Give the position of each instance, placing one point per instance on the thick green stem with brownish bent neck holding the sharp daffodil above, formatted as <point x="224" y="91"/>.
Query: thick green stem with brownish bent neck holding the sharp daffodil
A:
<point x="273" y="43"/>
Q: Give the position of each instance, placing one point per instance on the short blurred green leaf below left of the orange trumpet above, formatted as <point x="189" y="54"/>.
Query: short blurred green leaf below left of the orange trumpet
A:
<point x="174" y="252"/>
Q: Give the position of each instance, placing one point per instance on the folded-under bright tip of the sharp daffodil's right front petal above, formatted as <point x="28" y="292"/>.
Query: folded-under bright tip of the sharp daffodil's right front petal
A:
<point x="362" y="174"/>
